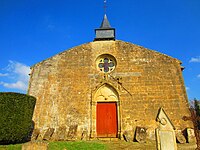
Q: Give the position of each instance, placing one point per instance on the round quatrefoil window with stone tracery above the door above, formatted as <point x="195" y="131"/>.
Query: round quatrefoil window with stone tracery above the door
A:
<point x="106" y="63"/>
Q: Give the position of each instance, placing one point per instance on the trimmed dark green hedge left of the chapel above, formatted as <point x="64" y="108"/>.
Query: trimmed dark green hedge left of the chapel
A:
<point x="16" y="111"/>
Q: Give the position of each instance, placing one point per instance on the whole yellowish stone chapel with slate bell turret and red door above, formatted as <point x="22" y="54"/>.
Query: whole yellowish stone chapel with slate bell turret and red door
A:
<point x="106" y="88"/>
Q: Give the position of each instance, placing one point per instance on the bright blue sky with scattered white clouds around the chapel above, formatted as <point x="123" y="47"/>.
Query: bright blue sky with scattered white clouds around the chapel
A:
<point x="34" y="30"/>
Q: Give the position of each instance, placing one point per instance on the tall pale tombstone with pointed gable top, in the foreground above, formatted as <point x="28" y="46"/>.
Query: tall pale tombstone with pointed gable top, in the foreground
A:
<point x="165" y="134"/>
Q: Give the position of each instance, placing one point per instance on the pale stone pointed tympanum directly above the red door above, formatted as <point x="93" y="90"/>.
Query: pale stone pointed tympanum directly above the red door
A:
<point x="106" y="93"/>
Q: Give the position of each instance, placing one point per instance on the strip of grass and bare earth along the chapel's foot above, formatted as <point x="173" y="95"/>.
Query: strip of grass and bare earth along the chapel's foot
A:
<point x="91" y="145"/>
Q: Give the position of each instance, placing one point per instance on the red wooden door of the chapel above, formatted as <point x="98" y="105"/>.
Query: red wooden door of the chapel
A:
<point x="106" y="120"/>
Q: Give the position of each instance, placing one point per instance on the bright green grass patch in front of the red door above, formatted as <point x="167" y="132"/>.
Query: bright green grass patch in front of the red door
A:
<point x="82" y="145"/>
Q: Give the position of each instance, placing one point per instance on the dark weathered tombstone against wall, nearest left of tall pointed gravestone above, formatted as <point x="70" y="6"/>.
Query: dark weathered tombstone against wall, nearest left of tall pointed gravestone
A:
<point x="140" y="134"/>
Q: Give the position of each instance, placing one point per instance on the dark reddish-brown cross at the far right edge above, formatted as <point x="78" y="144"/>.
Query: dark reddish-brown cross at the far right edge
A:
<point x="194" y="118"/>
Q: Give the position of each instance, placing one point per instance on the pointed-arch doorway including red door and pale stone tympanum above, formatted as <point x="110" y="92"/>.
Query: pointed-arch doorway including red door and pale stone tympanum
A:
<point x="107" y="112"/>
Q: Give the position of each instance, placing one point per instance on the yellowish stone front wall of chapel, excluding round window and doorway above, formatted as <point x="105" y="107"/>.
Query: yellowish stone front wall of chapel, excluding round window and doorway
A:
<point x="145" y="80"/>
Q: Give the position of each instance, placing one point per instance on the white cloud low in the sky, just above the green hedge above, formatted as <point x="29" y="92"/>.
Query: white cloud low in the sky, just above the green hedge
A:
<point x="17" y="76"/>
